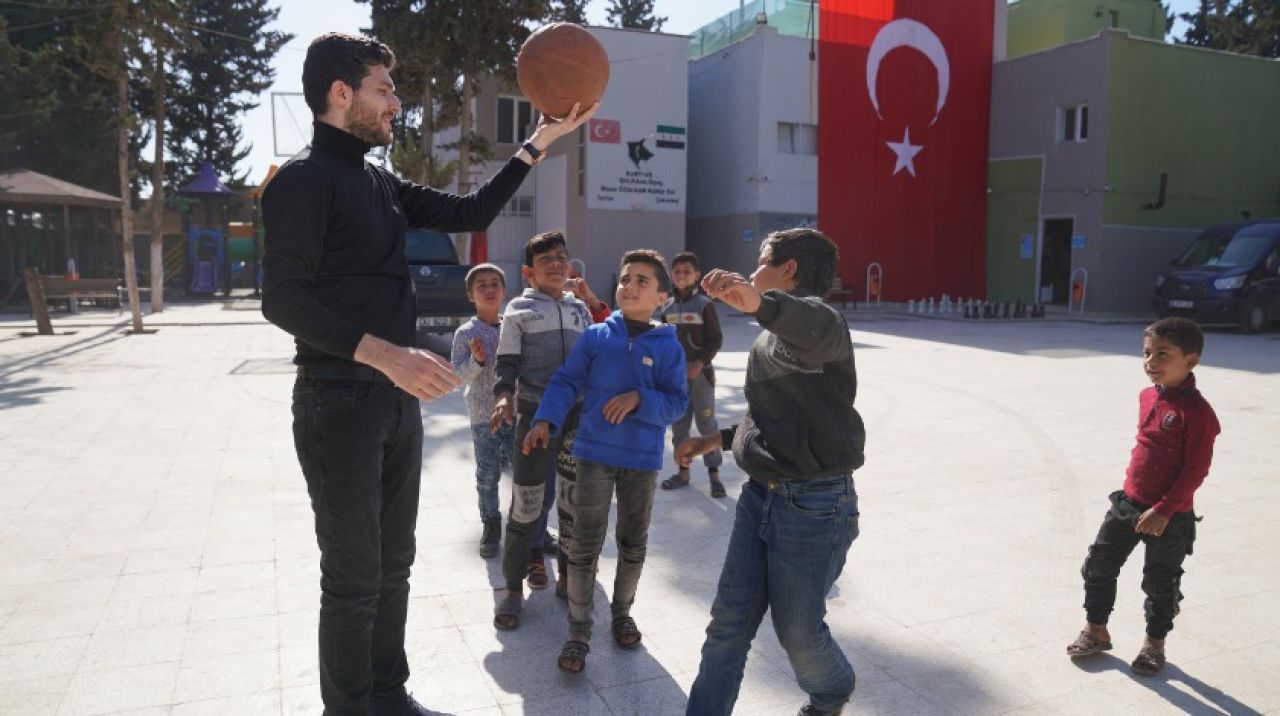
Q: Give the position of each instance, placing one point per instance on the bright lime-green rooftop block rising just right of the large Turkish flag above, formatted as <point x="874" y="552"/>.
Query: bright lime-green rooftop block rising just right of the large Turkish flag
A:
<point x="1041" y="25"/>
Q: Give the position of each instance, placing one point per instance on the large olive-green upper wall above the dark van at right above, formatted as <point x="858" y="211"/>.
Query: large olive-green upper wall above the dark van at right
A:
<point x="1209" y="120"/>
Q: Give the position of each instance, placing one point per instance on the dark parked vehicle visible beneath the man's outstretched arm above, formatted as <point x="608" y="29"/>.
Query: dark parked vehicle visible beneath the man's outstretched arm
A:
<point x="440" y="282"/>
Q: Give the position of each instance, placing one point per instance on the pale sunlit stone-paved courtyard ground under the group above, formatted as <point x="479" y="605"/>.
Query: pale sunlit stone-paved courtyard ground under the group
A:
<point x="158" y="557"/>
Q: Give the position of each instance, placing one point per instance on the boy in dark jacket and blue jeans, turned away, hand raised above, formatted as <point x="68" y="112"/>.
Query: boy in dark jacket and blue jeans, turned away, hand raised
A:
<point x="799" y="444"/>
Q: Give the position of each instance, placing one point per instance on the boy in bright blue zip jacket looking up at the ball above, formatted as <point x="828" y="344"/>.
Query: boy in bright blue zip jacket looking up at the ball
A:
<point x="633" y="375"/>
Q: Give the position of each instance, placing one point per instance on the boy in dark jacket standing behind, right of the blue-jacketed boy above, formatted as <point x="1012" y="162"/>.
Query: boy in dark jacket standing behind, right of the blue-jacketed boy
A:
<point x="700" y="334"/>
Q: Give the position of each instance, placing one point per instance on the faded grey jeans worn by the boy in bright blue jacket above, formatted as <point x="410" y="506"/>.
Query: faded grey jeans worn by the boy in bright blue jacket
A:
<point x="588" y="500"/>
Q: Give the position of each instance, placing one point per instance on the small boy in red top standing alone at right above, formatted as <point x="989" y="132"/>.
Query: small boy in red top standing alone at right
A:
<point x="1177" y="430"/>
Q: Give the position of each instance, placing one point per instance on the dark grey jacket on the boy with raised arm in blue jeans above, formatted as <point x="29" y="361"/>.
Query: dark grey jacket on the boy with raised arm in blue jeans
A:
<point x="801" y="389"/>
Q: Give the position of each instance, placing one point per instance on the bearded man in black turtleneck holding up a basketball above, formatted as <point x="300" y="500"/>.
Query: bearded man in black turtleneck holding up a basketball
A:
<point x="337" y="279"/>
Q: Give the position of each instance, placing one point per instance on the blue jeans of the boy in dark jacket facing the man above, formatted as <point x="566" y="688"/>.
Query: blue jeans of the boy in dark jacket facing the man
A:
<point x="788" y="548"/>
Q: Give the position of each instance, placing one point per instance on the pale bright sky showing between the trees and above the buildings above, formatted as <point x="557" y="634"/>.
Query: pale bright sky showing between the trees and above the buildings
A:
<point x="309" y="19"/>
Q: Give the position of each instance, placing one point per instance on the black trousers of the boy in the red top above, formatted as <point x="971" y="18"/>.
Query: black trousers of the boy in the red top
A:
<point x="1162" y="574"/>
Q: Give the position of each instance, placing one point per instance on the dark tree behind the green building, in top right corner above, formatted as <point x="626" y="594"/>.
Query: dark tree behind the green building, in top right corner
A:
<point x="1249" y="28"/>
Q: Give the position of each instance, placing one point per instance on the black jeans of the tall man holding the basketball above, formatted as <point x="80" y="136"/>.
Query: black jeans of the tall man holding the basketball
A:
<point x="360" y="445"/>
